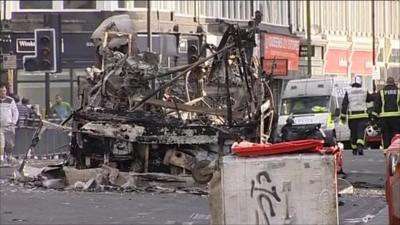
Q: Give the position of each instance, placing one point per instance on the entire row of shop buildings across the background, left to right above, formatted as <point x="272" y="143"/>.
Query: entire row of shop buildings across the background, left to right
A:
<point x="341" y="34"/>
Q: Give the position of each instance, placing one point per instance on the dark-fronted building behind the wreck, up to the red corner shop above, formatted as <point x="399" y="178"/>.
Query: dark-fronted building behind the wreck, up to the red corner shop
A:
<point x="80" y="18"/>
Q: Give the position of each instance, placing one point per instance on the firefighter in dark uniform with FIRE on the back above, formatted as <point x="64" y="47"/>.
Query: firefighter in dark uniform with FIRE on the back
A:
<point x="387" y="109"/>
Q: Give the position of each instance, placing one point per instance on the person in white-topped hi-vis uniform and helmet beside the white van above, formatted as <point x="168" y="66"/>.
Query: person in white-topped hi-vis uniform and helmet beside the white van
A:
<point x="354" y="106"/>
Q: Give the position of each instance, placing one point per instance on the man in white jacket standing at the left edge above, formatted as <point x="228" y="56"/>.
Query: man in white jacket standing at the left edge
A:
<point x="8" y="120"/>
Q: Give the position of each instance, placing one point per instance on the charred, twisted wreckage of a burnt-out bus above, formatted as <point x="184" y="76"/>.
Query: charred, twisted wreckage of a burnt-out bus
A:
<point x="138" y="116"/>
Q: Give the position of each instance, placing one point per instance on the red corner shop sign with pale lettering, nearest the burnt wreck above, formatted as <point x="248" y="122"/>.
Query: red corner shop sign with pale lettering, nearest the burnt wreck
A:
<point x="282" y="47"/>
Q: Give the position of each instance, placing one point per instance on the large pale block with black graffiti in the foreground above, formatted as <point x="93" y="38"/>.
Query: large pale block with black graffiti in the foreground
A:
<point x="282" y="189"/>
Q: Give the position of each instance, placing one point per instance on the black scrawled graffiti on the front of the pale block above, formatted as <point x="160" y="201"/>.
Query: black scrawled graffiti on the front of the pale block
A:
<point x="264" y="195"/>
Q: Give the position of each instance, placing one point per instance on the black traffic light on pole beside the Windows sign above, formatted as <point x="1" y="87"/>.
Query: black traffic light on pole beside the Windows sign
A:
<point x="45" y="59"/>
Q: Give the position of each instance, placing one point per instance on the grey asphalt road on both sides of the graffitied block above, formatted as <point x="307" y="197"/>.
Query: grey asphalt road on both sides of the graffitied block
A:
<point x="20" y="205"/>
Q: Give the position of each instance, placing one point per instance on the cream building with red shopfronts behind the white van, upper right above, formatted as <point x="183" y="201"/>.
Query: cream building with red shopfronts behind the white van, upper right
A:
<point x="342" y="36"/>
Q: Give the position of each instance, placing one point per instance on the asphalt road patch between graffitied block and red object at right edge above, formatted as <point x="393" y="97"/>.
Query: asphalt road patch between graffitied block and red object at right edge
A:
<point x="367" y="174"/>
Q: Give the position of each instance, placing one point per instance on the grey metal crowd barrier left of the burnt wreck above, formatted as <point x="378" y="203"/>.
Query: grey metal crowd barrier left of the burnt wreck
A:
<point x="53" y="142"/>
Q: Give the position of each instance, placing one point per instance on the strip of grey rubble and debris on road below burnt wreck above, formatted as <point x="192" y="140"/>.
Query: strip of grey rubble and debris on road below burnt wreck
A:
<point x="105" y="178"/>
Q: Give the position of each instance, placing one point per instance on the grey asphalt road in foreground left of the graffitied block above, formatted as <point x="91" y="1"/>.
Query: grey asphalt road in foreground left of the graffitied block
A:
<point x="19" y="206"/>
